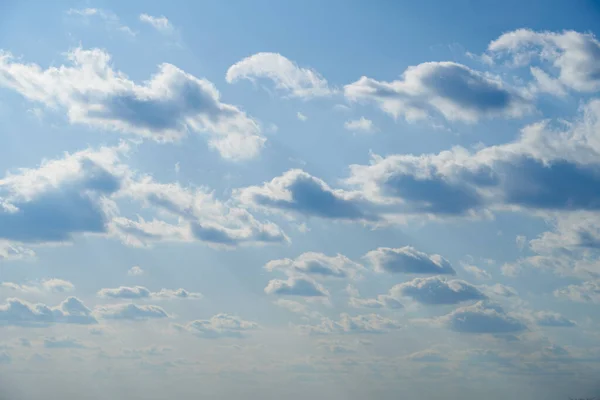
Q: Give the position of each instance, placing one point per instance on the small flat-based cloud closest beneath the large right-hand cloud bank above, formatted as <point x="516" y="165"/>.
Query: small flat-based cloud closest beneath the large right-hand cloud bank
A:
<point x="408" y="260"/>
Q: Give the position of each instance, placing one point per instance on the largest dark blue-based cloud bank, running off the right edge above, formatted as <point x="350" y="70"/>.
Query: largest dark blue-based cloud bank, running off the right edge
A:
<point x="548" y="168"/>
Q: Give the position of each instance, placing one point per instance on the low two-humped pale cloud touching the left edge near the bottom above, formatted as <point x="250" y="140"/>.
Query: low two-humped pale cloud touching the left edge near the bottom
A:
<point x="21" y="313"/>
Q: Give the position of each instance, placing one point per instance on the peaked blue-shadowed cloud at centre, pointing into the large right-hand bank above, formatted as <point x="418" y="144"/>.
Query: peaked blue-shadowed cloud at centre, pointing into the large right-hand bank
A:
<point x="301" y="193"/>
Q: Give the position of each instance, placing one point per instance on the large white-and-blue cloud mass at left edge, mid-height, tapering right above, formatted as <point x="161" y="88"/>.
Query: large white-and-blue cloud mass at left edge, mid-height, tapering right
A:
<point x="80" y="192"/>
